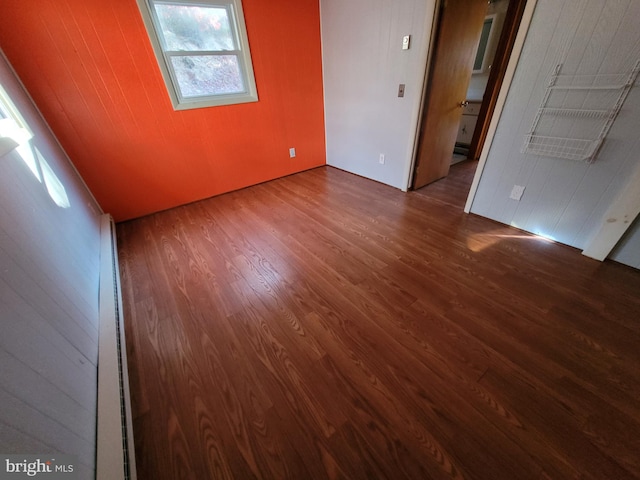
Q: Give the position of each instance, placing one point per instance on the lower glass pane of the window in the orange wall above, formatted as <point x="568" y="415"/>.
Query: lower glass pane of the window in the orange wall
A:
<point x="208" y="75"/>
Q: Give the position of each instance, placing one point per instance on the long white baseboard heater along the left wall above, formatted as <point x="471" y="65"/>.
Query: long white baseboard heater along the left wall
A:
<point x="115" y="455"/>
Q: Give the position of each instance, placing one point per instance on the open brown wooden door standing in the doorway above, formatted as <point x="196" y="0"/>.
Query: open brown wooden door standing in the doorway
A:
<point x="460" y="25"/>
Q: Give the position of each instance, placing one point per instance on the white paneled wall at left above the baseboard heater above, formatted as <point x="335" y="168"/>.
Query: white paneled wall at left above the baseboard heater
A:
<point x="49" y="271"/>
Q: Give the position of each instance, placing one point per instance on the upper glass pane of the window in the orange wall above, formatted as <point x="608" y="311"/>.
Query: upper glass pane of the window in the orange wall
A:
<point x="195" y="28"/>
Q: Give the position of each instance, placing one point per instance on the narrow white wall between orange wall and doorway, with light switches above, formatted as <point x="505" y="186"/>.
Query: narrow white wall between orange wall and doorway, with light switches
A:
<point x="363" y="65"/>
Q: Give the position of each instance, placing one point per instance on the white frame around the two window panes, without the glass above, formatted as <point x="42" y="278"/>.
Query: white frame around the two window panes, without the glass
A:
<point x="236" y="16"/>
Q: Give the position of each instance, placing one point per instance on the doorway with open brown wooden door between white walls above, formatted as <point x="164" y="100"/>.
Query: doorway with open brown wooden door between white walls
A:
<point x="461" y="92"/>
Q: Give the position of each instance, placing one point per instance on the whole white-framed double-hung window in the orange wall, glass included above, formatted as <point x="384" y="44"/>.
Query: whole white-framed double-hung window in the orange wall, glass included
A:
<point x="202" y="50"/>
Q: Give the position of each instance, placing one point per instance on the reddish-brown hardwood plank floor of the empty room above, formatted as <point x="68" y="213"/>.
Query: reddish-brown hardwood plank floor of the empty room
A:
<point x="326" y="326"/>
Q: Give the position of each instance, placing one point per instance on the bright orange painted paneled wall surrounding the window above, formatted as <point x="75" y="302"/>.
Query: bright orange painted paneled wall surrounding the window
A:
<point x="90" y="68"/>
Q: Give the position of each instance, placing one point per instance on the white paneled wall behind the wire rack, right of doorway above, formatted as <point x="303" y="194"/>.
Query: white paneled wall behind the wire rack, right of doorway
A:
<point x="565" y="200"/>
